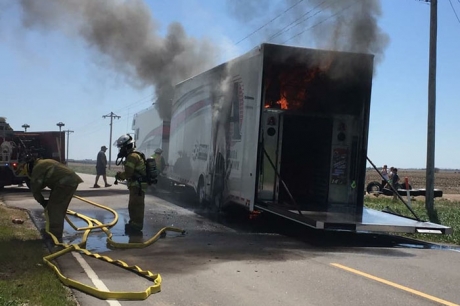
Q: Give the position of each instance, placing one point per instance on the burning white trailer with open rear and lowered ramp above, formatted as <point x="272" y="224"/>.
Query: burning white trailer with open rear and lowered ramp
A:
<point x="282" y="130"/>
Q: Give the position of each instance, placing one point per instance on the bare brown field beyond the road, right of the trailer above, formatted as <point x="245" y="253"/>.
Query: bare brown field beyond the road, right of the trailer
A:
<point x="447" y="181"/>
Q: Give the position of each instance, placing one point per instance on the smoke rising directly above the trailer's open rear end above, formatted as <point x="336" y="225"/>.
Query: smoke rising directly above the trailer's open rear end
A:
<point x="345" y="25"/>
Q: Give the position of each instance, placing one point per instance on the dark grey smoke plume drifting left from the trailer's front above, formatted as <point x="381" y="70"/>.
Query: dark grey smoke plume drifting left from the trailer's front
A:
<point x="127" y="35"/>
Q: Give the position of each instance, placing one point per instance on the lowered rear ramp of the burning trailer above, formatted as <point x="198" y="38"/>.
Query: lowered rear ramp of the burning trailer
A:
<point x="370" y="221"/>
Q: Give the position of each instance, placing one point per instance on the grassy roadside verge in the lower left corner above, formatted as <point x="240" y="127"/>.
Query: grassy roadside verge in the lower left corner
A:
<point x="24" y="278"/>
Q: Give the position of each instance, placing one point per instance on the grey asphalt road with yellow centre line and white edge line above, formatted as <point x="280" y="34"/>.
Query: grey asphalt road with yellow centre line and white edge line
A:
<point x="227" y="259"/>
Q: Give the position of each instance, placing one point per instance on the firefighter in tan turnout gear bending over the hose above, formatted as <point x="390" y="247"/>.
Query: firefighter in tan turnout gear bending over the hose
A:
<point x="63" y="183"/>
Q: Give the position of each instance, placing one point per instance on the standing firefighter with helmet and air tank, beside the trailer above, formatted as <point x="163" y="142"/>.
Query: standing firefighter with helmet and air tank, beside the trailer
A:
<point x="134" y="171"/>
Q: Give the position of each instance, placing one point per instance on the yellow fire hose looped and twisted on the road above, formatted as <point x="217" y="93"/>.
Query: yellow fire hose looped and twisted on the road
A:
<point x="96" y="224"/>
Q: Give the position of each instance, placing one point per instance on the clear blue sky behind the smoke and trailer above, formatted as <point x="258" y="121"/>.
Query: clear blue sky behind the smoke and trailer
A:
<point x="49" y="73"/>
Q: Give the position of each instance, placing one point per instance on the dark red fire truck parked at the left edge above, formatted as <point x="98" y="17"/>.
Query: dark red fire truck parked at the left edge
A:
<point x="16" y="145"/>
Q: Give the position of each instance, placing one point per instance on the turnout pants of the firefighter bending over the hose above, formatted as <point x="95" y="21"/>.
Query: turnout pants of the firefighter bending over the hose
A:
<point x="58" y="203"/>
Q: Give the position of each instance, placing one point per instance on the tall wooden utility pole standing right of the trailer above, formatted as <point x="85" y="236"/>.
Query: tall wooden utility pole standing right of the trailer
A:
<point x="429" y="197"/>
